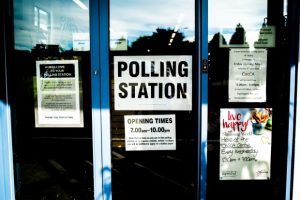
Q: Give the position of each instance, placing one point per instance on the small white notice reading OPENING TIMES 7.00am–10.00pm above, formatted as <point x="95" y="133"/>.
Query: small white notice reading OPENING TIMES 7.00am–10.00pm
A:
<point x="150" y="132"/>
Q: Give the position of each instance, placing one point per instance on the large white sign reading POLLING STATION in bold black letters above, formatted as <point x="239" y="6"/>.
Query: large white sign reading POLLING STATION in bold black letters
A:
<point x="153" y="82"/>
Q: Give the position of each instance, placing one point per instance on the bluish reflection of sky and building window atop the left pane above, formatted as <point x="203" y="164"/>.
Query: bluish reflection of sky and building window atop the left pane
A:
<point x="47" y="22"/>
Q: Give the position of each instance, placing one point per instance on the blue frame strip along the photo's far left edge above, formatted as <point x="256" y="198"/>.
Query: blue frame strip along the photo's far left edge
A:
<point x="7" y="190"/>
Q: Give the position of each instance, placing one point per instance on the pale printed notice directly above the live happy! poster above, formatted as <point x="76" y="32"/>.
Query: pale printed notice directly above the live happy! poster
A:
<point x="247" y="75"/>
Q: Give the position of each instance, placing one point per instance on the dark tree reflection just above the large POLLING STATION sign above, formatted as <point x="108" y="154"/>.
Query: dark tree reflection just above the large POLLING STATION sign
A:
<point x="159" y="42"/>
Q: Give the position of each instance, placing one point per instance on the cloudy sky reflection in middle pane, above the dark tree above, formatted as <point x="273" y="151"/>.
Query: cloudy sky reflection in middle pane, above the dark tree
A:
<point x="141" y="18"/>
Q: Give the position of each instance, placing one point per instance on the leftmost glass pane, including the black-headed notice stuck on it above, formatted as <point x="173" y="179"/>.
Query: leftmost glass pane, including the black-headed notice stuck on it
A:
<point x="50" y="75"/>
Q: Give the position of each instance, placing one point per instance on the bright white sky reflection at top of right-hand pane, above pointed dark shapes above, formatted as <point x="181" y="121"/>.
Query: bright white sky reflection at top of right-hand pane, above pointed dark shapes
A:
<point x="226" y="14"/>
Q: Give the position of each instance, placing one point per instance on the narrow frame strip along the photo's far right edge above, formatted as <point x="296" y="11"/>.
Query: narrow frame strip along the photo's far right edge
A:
<point x="294" y="163"/>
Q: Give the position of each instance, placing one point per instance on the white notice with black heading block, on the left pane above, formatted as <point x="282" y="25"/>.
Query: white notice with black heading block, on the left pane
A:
<point x="57" y="94"/>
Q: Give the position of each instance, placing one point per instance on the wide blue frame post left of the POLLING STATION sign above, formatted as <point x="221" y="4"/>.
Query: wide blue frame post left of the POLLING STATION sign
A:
<point x="99" y="31"/>
